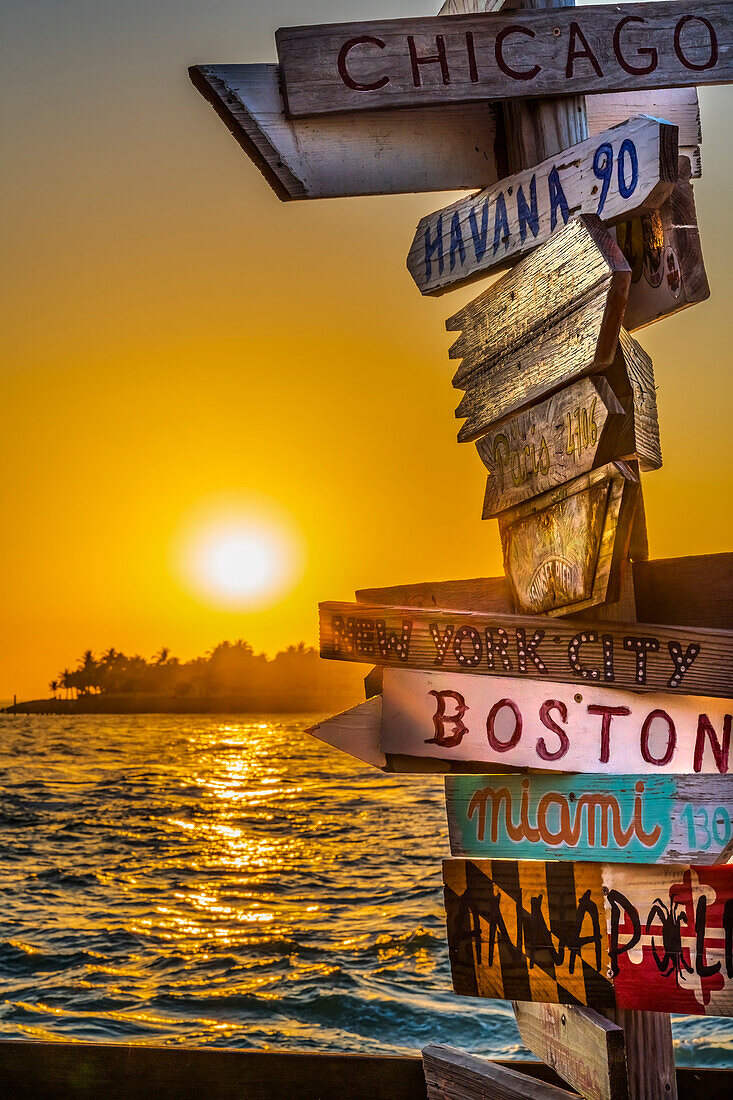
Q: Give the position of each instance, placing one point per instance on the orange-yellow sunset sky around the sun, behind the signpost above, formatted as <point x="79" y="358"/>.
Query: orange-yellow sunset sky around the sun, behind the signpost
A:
<point x="173" y="334"/>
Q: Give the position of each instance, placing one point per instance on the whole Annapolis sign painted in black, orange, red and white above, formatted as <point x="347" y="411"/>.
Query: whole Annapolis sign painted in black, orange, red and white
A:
<point x="605" y="936"/>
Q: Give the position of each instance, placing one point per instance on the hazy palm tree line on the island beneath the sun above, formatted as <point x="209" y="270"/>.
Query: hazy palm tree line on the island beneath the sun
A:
<point x="231" y="669"/>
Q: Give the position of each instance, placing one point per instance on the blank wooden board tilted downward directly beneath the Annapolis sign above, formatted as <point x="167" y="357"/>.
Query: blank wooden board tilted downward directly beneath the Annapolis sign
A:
<point x="584" y="1048"/>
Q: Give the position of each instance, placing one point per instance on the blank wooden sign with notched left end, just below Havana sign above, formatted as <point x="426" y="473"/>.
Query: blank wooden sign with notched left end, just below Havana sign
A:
<point x="555" y="318"/>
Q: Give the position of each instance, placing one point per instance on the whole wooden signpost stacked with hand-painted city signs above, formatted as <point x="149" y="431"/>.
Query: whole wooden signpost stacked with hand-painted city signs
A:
<point x="593" y="895"/>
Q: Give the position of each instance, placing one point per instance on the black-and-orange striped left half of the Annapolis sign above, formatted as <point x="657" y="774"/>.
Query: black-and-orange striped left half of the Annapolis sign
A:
<point x="529" y="931"/>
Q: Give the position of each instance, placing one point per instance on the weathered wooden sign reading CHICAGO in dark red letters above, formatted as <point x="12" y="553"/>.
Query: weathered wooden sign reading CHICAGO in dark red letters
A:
<point x="418" y="62"/>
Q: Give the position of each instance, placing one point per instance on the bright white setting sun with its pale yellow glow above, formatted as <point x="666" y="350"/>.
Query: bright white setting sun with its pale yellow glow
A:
<point x="239" y="555"/>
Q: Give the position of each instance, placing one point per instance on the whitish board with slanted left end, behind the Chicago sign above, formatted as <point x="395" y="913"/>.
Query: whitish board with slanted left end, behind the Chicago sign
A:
<point x="452" y="148"/>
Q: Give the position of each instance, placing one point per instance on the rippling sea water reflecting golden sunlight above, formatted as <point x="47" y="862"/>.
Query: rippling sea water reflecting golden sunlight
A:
<point x="229" y="882"/>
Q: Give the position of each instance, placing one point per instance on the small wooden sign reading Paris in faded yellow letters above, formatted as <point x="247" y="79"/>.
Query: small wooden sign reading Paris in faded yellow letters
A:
<point x="550" y="444"/>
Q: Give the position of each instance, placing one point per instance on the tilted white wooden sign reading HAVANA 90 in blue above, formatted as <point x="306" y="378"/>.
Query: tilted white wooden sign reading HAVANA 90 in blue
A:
<point x="625" y="171"/>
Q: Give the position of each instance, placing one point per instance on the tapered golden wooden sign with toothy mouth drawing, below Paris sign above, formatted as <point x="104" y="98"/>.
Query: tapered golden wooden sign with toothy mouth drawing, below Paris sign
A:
<point x="563" y="551"/>
